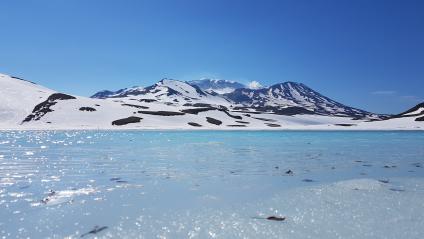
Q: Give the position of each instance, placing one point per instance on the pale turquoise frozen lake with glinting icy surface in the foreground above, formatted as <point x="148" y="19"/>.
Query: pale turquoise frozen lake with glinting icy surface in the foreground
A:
<point x="204" y="184"/>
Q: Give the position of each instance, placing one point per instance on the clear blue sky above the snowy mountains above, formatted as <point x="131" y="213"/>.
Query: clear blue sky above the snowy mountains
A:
<point x="364" y="53"/>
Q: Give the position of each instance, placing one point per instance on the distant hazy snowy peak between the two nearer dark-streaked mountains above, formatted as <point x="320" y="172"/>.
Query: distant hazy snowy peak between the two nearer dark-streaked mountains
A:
<point x="216" y="85"/>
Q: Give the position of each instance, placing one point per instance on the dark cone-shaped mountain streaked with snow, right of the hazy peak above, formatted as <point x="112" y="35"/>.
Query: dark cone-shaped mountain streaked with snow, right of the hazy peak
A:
<point x="292" y="94"/>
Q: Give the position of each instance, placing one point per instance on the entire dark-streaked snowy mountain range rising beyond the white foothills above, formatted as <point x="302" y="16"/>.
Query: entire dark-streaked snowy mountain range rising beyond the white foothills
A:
<point x="285" y="98"/>
